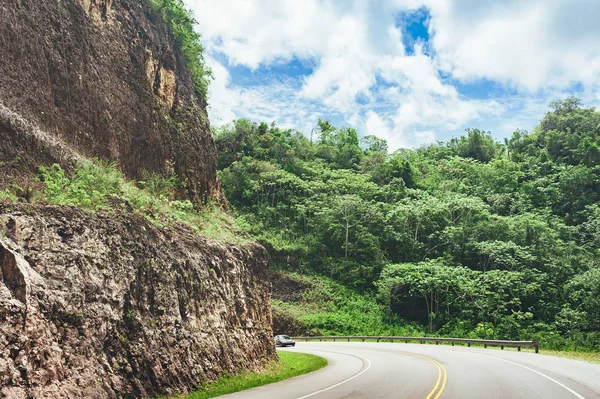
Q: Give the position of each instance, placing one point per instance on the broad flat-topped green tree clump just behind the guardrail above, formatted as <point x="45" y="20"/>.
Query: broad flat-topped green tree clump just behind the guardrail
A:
<point x="437" y="292"/>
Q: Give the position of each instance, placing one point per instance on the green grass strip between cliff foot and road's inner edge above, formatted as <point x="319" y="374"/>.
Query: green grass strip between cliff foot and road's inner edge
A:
<point x="290" y="364"/>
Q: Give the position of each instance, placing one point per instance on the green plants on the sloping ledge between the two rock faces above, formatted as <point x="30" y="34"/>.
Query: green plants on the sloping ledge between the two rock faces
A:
<point x="99" y="186"/>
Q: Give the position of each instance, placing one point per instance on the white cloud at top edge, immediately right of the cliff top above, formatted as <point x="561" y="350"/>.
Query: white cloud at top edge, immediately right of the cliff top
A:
<point x="260" y="32"/>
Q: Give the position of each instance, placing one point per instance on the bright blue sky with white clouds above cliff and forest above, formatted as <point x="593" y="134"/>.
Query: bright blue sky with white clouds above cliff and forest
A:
<point x="408" y="71"/>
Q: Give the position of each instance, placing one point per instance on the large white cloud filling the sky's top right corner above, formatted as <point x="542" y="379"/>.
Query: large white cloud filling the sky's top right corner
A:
<point x="533" y="45"/>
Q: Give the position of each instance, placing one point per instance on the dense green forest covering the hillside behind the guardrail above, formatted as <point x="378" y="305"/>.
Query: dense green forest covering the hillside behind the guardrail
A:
<point x="466" y="237"/>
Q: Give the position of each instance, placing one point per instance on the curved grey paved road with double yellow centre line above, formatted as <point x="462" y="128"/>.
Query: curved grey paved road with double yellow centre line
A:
<point x="394" y="370"/>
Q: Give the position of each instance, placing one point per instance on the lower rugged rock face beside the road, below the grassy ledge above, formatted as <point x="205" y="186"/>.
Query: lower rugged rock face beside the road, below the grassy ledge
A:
<point x="101" y="306"/>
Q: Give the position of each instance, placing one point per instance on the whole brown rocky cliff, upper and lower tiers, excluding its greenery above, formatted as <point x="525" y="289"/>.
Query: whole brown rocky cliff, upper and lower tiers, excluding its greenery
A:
<point x="108" y="305"/>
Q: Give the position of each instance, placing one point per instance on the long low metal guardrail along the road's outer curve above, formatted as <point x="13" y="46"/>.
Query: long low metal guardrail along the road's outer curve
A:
<point x="485" y="342"/>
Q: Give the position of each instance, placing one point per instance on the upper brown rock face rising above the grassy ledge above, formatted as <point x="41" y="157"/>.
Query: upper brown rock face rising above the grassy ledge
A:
<point x="103" y="78"/>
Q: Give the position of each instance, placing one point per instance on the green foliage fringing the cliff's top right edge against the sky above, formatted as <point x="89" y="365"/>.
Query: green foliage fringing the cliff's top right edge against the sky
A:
<point x="181" y="25"/>
